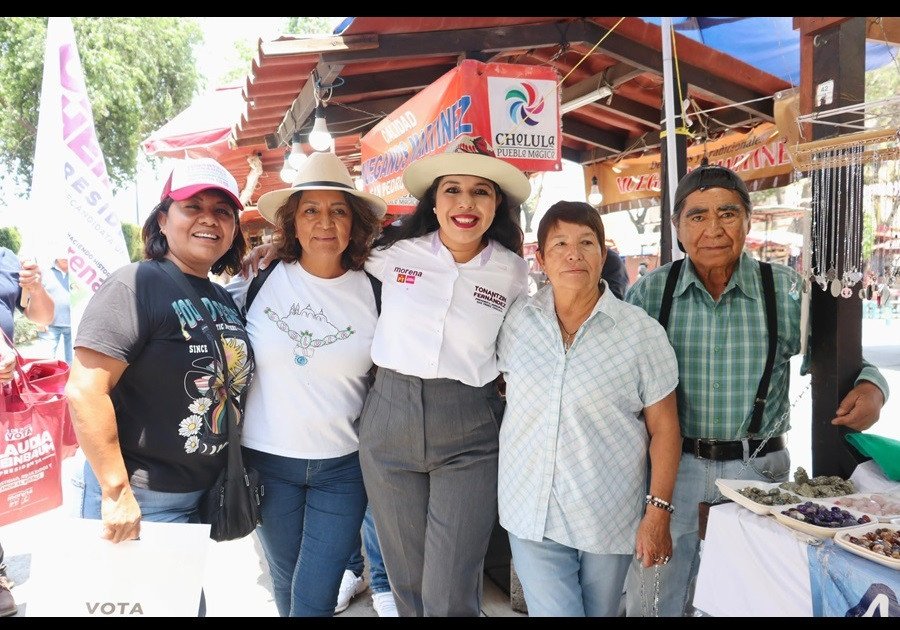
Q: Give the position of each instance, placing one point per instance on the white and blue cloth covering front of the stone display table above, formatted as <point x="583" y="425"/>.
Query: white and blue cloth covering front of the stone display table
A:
<point x="754" y="566"/>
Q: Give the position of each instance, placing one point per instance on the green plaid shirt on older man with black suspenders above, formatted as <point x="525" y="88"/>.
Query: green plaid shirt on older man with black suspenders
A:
<point x="722" y="346"/>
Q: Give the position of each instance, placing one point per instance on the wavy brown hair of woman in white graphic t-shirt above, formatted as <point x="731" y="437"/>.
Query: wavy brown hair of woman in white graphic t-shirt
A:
<point x="362" y="233"/>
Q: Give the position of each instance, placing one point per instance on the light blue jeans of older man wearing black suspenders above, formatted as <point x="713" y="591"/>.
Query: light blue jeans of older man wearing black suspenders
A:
<point x="696" y="482"/>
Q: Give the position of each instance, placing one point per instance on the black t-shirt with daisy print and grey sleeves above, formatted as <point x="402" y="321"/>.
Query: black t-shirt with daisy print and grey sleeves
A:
<point x="170" y="414"/>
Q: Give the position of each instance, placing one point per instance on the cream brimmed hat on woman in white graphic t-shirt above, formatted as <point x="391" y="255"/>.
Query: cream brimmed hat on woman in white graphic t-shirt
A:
<point x="321" y="171"/>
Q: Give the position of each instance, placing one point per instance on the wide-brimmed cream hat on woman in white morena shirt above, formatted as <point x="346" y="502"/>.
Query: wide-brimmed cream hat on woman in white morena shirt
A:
<point x="467" y="156"/>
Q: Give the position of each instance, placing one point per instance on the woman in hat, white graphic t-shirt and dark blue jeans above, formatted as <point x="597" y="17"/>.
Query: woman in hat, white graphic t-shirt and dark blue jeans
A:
<point x="311" y="325"/>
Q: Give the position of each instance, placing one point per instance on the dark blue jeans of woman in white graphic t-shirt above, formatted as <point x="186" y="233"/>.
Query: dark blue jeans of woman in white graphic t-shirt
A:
<point x="312" y="512"/>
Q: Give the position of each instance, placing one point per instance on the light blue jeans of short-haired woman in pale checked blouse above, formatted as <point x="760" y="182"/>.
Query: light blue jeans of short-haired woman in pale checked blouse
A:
<point x="561" y="581"/>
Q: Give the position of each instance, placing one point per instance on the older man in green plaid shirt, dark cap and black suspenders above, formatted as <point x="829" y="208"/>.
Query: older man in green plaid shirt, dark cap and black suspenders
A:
<point x="717" y="324"/>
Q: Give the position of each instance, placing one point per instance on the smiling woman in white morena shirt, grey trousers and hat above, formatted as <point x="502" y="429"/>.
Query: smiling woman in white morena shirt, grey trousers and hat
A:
<point x="428" y="433"/>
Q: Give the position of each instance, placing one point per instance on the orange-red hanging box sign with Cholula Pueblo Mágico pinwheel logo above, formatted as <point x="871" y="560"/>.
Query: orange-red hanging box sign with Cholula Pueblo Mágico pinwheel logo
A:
<point x="513" y="109"/>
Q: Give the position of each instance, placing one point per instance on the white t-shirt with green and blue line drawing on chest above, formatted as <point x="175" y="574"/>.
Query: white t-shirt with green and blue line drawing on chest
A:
<point x="312" y="339"/>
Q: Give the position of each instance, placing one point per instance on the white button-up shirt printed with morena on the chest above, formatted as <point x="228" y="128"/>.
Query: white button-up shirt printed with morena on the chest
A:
<point x="440" y="318"/>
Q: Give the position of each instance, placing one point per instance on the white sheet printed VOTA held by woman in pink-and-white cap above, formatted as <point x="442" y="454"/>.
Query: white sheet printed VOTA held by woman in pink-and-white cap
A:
<point x="75" y="573"/>
